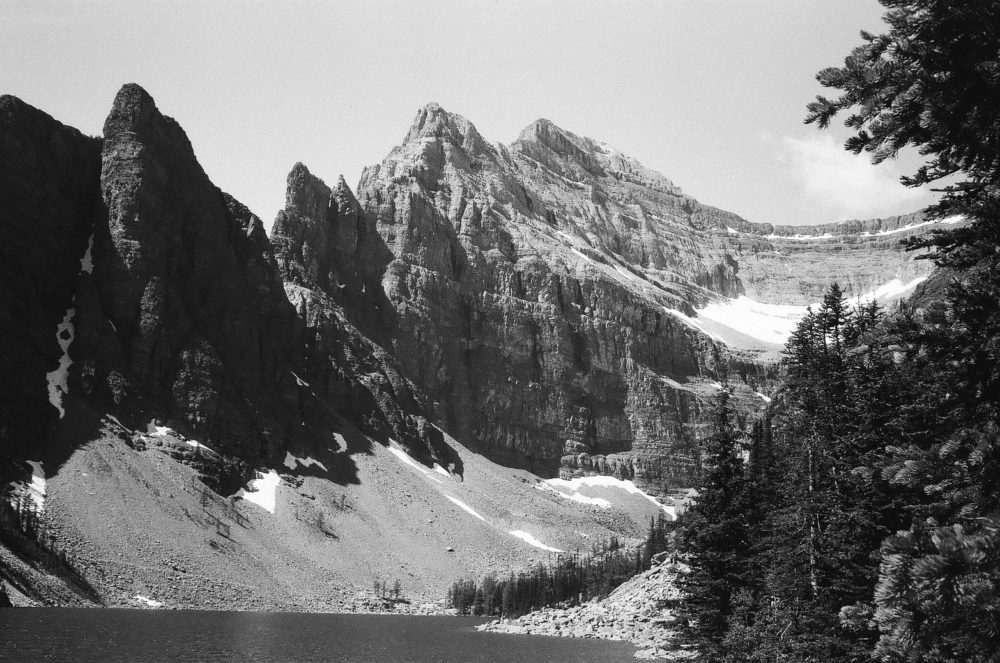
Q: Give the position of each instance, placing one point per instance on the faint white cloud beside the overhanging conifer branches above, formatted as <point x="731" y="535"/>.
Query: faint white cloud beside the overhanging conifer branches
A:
<point x="847" y="185"/>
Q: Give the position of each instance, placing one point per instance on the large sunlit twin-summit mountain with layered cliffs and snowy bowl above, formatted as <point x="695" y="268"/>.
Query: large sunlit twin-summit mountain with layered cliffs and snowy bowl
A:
<point x="546" y="295"/>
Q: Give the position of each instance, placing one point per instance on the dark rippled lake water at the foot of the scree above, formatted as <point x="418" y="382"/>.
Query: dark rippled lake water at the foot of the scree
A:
<point x="109" y="635"/>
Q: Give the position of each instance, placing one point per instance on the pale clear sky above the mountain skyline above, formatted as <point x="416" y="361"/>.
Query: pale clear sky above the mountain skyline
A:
<point x="711" y="93"/>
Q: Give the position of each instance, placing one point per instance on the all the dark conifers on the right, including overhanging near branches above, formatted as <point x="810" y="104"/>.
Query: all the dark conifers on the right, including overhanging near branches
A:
<point x="859" y="519"/>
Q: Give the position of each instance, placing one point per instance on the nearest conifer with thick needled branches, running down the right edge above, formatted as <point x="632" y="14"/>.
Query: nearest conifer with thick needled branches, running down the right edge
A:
<point x="932" y="82"/>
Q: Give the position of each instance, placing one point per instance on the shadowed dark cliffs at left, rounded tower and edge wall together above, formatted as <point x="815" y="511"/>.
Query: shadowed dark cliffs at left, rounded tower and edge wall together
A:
<point x="180" y="314"/>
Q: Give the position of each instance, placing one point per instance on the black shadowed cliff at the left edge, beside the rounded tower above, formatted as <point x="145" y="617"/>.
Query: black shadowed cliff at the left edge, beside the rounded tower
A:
<point x="49" y="197"/>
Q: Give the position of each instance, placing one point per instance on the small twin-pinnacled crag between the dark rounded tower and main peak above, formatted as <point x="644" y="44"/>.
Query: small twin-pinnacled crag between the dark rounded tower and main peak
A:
<point x="332" y="259"/>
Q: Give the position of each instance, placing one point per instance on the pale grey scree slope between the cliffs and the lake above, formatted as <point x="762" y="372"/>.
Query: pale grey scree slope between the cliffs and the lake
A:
<point x="132" y="522"/>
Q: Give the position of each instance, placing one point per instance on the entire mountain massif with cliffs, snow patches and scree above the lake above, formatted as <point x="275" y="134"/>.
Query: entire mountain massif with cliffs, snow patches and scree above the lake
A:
<point x="482" y="357"/>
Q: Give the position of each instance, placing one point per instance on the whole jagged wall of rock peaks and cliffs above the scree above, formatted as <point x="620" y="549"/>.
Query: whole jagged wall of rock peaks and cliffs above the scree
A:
<point x="529" y="299"/>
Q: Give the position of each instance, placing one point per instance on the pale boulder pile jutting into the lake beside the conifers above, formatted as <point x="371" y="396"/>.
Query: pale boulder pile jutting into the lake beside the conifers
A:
<point x="640" y="611"/>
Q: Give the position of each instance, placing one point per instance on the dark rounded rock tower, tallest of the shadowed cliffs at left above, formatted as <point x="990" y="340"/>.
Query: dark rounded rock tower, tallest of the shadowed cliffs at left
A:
<point x="184" y="318"/>
